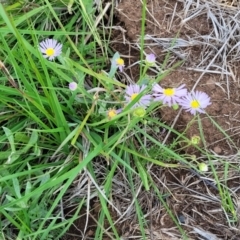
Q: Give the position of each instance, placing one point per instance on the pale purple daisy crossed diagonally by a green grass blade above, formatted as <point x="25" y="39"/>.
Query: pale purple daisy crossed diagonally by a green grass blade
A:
<point x="132" y="92"/>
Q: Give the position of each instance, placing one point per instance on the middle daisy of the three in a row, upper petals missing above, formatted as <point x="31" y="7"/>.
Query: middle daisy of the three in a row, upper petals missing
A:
<point x="169" y="96"/>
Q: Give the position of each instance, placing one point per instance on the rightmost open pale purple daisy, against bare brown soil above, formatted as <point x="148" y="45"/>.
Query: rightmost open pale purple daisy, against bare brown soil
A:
<point x="195" y="102"/>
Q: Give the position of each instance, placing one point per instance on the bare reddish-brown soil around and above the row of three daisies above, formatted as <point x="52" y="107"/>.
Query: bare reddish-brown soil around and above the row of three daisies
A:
<point x="224" y="109"/>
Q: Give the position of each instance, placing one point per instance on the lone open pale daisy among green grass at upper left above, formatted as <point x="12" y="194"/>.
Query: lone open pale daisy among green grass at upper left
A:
<point x="50" y="48"/>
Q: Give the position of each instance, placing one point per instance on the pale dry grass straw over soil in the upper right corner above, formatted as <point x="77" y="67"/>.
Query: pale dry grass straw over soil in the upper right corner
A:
<point x="219" y="48"/>
